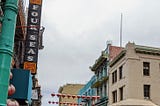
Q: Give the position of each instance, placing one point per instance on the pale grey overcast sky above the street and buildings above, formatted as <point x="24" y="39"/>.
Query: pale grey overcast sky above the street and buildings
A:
<point x="76" y="31"/>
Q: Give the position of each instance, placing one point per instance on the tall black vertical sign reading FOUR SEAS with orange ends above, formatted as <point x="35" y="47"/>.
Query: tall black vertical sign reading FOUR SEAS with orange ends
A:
<point x="33" y="27"/>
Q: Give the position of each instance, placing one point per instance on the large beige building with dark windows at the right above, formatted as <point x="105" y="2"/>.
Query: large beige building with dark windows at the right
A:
<point x="134" y="76"/>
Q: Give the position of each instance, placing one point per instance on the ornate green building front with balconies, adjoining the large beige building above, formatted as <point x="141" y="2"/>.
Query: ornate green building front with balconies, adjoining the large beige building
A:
<point x="100" y="68"/>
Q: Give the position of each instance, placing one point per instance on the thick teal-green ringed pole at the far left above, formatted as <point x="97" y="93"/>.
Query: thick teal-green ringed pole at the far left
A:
<point x="6" y="46"/>
